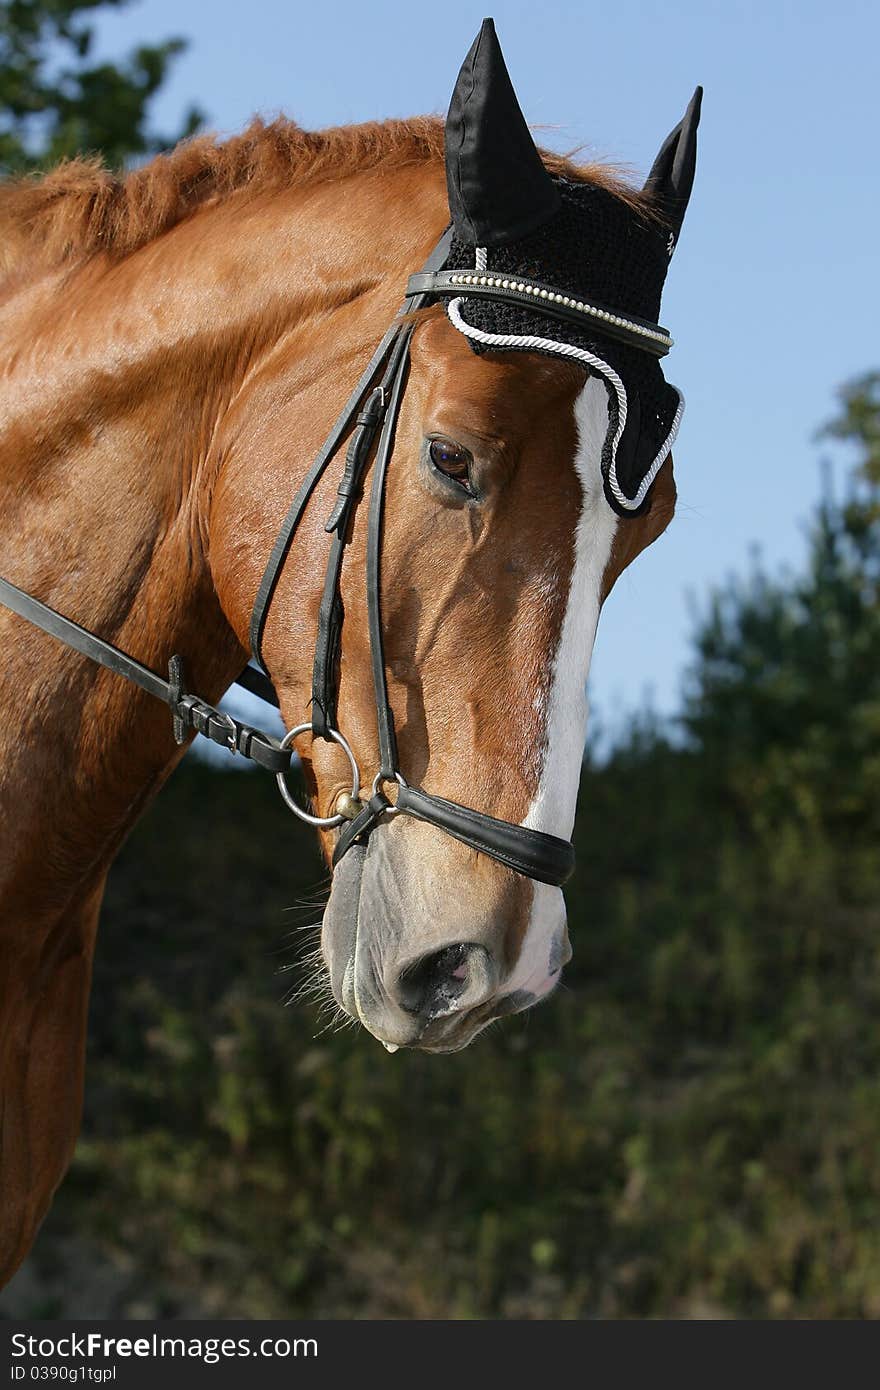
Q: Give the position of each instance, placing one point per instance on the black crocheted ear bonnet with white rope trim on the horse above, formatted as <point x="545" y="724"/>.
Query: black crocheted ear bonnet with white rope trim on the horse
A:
<point x="512" y="219"/>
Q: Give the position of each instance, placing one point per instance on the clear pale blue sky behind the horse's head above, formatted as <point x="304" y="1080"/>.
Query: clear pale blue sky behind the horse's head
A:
<point x="772" y="297"/>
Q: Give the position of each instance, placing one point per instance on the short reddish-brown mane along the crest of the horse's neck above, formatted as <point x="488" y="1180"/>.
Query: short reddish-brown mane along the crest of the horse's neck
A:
<point x="83" y="209"/>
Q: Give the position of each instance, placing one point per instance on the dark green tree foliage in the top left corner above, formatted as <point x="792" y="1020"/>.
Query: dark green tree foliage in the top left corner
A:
<point x="56" y="104"/>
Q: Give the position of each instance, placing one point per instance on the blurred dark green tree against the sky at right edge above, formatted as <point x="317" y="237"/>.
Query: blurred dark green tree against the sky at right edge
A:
<point x="785" y="696"/>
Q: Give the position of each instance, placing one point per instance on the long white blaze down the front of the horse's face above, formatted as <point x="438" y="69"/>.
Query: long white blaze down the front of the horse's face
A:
<point x="565" y="712"/>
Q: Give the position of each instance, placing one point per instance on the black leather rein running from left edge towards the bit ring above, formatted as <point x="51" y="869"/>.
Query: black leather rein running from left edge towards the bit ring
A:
<point x="188" y="712"/>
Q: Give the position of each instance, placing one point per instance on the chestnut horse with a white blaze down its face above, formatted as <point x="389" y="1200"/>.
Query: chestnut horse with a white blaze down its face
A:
<point x="177" y="343"/>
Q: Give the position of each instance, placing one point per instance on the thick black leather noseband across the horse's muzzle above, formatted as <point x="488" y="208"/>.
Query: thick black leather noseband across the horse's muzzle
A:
<point x="530" y="853"/>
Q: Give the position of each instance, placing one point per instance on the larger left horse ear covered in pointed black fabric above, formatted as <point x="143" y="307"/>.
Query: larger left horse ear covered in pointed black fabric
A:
<point x="498" y="186"/>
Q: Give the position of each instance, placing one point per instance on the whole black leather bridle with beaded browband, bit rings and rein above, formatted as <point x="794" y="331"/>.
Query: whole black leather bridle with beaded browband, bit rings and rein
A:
<point x="372" y="409"/>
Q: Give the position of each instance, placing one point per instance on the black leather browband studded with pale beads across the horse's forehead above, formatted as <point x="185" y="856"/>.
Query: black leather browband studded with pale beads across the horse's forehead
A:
<point x="446" y="284"/>
